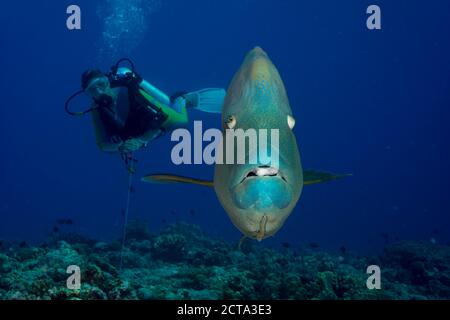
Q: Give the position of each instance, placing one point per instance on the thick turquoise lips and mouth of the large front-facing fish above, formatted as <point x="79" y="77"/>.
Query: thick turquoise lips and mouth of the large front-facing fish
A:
<point x="262" y="188"/>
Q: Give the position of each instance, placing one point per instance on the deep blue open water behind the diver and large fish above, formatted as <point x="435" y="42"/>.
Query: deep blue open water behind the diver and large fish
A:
<point x="371" y="103"/>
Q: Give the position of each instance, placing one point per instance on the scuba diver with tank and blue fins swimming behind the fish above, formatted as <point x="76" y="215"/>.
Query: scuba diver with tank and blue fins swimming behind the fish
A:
<point x="128" y="112"/>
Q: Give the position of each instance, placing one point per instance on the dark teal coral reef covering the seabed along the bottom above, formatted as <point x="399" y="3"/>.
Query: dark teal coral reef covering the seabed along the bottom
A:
<point x="181" y="262"/>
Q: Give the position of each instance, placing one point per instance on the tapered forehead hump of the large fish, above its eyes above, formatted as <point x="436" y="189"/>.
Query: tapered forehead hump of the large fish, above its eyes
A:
<point x="256" y="87"/>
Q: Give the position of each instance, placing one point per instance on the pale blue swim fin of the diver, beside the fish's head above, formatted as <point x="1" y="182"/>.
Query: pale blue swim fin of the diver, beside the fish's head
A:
<point x="207" y="100"/>
